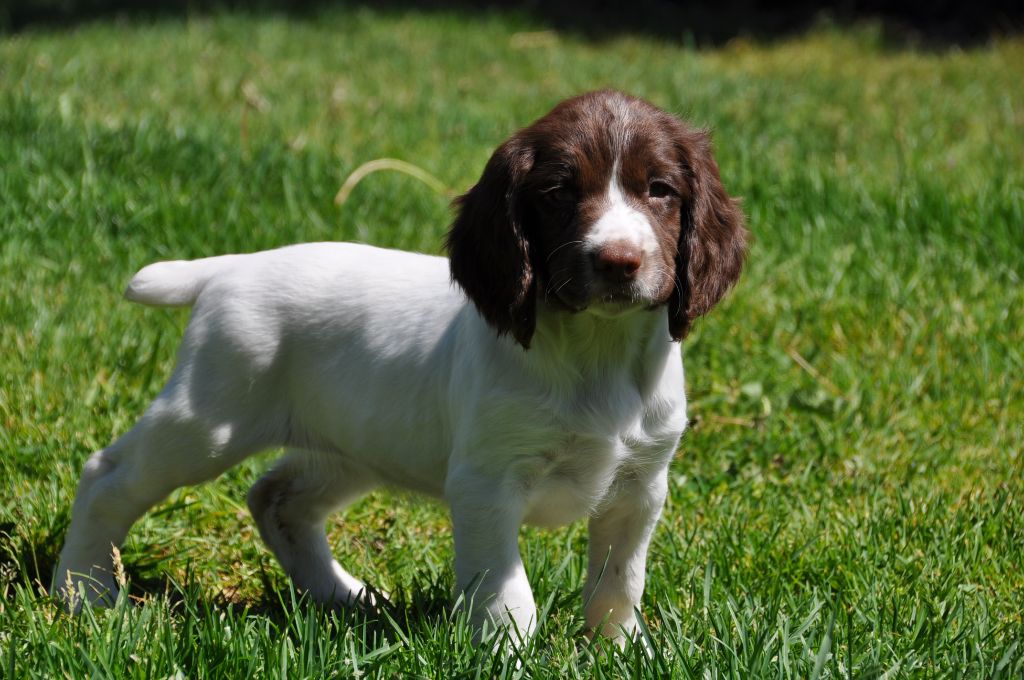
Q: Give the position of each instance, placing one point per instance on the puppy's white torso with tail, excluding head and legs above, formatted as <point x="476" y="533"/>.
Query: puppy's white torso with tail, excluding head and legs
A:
<point x="374" y="357"/>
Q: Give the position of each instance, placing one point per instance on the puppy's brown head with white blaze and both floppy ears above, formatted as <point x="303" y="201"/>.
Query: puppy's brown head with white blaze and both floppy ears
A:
<point x="607" y="204"/>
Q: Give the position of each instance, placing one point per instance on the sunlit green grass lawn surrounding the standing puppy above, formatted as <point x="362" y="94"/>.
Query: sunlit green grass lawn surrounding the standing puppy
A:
<point x="849" y="501"/>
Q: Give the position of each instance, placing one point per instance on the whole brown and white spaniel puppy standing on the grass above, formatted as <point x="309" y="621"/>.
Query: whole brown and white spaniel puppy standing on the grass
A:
<point x="535" y="376"/>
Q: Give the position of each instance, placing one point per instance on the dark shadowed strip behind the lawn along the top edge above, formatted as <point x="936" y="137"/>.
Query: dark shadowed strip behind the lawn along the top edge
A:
<point x="936" y="24"/>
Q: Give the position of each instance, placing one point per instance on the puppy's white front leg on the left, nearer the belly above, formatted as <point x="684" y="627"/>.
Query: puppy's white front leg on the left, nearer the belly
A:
<point x="490" y="575"/>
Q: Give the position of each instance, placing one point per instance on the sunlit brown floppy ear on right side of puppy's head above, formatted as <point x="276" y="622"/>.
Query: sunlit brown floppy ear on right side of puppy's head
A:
<point x="712" y="241"/>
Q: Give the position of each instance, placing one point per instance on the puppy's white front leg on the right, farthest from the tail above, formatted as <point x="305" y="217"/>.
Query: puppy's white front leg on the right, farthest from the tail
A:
<point x="620" y="535"/>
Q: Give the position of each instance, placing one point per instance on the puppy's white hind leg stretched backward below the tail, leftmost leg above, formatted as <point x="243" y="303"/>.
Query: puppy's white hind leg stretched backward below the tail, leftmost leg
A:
<point x="168" y="448"/>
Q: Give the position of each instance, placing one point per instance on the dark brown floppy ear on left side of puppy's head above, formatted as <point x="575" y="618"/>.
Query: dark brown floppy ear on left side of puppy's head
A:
<point x="488" y="246"/>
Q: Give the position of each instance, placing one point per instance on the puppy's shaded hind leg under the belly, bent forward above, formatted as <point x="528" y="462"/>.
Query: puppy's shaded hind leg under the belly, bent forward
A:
<point x="291" y="504"/>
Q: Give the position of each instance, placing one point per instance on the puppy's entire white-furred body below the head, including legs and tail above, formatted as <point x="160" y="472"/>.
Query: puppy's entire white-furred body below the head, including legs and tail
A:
<point x="373" y="369"/>
